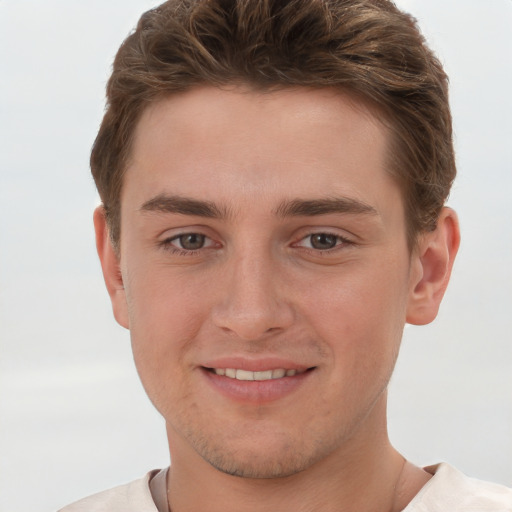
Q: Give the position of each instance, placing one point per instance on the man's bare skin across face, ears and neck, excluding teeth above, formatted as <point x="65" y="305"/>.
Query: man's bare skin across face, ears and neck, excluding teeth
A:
<point x="238" y="170"/>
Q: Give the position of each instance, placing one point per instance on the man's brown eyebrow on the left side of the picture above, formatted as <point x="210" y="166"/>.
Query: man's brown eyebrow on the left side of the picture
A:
<point x="184" y="206"/>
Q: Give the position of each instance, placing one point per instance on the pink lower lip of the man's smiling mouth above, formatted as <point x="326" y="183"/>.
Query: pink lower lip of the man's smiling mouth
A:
<point x="256" y="391"/>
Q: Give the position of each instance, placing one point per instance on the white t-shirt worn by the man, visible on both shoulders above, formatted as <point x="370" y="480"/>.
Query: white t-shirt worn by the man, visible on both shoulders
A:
<point x="447" y="491"/>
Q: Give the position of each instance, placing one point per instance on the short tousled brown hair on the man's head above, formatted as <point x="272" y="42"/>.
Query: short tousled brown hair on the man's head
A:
<point x="365" y="47"/>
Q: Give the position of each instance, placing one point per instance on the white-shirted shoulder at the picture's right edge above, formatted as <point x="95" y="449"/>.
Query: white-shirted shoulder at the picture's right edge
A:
<point x="449" y="490"/>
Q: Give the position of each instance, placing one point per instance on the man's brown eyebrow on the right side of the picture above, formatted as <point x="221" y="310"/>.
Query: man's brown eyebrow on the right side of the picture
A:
<point x="312" y="207"/>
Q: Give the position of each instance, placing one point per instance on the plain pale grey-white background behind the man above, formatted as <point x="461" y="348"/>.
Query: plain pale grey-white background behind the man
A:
<point x="73" y="417"/>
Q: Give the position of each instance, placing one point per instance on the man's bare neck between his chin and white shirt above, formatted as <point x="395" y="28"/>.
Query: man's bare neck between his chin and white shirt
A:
<point x="365" y="474"/>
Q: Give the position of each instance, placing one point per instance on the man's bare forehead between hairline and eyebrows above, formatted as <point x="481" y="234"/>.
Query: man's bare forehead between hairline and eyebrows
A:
<point x="235" y="145"/>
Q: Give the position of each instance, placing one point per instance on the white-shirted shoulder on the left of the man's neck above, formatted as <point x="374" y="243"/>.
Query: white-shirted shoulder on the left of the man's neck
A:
<point x="135" y="496"/>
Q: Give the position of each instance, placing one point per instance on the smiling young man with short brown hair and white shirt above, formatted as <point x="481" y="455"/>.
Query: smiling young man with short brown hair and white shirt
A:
<point x="273" y="178"/>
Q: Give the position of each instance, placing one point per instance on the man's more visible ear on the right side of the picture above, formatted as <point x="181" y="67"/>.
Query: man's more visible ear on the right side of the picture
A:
<point x="431" y="267"/>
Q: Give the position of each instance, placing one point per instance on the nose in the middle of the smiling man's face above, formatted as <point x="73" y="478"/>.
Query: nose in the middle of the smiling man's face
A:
<point x="253" y="302"/>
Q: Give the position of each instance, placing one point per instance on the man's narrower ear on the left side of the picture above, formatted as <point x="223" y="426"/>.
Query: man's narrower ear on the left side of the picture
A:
<point x="110" y="264"/>
